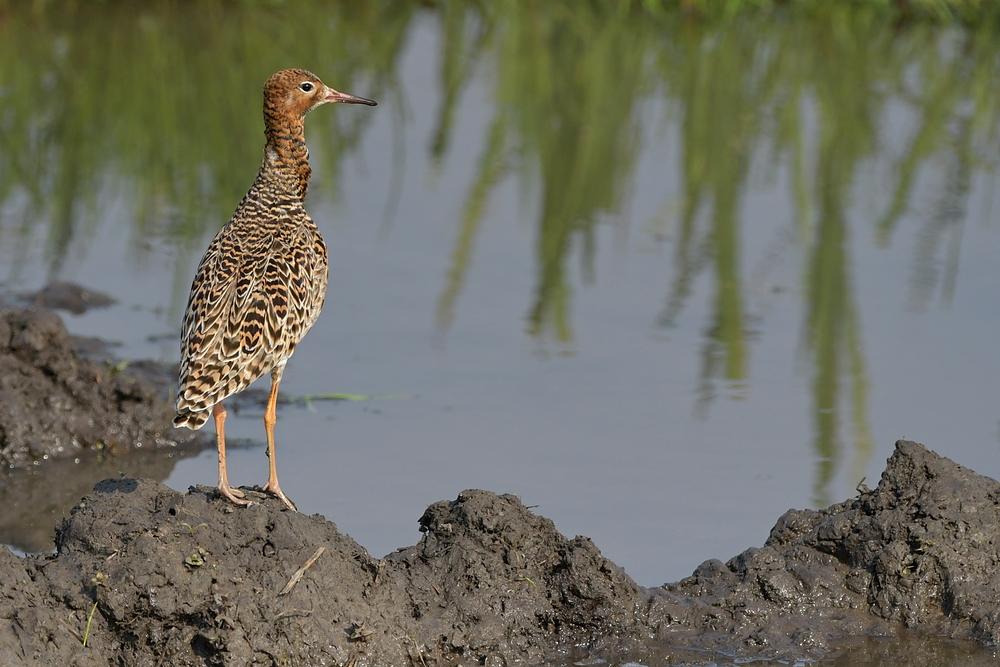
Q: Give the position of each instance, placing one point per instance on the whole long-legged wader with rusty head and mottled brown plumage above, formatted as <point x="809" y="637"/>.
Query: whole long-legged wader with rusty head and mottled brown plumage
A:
<point x="262" y="282"/>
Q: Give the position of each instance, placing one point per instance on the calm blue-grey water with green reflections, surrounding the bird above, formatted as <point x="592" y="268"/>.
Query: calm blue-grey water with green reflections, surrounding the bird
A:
<point x="661" y="280"/>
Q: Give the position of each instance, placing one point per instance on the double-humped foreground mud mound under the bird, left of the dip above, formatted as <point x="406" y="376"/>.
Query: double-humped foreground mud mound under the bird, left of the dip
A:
<point x="191" y="580"/>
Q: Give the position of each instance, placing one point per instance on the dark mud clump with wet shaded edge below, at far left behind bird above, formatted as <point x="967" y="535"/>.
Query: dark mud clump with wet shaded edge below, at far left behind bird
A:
<point x="71" y="414"/>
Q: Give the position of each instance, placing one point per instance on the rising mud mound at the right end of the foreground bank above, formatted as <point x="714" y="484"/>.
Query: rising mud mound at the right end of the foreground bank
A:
<point x="921" y="550"/>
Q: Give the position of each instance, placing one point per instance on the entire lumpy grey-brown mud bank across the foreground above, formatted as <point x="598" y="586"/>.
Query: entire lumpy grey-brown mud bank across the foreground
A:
<point x="187" y="579"/>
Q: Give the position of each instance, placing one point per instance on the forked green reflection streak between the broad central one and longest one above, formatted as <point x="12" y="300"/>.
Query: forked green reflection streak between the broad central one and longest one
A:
<point x="718" y="128"/>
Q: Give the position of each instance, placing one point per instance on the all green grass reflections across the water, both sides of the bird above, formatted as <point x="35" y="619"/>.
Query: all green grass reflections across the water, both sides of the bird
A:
<point x="81" y="88"/>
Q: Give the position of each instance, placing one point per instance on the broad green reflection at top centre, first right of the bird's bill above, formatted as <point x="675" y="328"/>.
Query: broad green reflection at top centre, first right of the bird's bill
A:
<point x="567" y="84"/>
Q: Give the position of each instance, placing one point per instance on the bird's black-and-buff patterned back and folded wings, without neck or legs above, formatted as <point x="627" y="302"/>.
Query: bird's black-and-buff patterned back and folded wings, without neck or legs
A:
<point x="254" y="297"/>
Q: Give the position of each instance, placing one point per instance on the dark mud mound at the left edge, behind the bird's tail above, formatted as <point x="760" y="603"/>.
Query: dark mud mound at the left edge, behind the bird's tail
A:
<point x="54" y="403"/>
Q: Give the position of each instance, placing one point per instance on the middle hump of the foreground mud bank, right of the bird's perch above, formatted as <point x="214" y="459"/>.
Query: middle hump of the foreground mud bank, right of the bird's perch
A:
<point x="491" y="579"/>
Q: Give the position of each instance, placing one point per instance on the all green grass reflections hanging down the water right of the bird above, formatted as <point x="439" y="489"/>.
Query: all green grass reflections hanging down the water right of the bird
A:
<point x="811" y="89"/>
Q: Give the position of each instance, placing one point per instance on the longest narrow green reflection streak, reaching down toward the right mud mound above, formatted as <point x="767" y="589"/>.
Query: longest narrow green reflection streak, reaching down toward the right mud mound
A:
<point x="847" y="122"/>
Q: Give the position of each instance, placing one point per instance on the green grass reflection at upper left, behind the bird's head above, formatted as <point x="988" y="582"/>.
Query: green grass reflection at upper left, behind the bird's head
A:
<point x="160" y="104"/>
